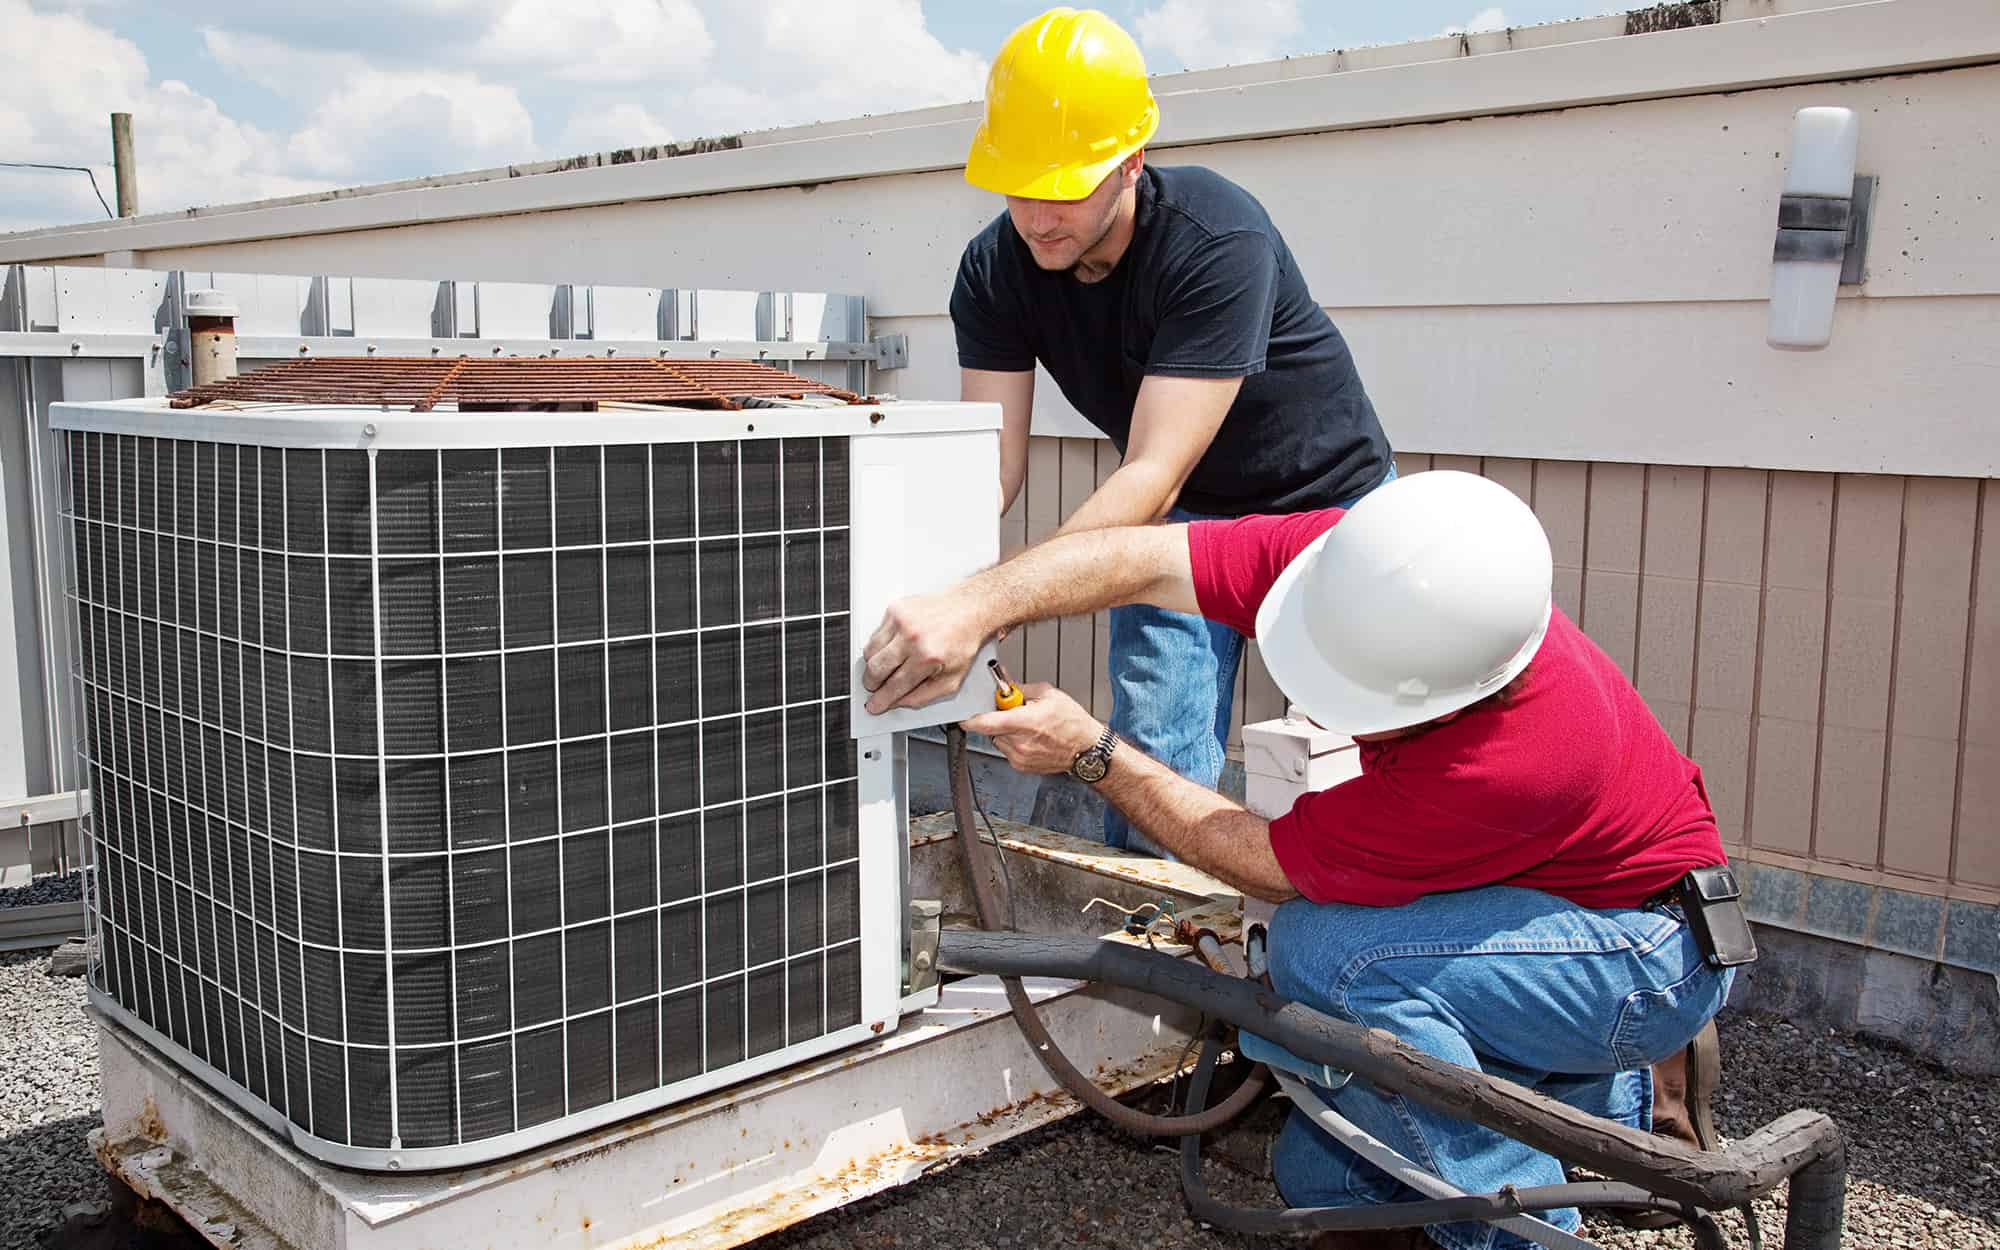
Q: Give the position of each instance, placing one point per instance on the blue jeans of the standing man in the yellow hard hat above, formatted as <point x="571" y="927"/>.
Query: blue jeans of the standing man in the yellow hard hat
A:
<point x="1173" y="687"/>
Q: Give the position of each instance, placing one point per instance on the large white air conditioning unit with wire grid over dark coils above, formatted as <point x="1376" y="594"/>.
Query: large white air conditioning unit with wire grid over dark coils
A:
<point x="469" y="779"/>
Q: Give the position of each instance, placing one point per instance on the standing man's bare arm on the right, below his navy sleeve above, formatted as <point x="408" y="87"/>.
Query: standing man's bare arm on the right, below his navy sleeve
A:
<point x="1173" y="425"/>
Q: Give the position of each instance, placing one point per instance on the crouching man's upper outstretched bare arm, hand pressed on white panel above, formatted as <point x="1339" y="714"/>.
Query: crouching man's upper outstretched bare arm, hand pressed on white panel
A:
<point x="927" y="641"/>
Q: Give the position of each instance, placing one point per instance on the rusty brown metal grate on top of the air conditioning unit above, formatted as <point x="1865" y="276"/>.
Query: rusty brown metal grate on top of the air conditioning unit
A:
<point x="509" y="383"/>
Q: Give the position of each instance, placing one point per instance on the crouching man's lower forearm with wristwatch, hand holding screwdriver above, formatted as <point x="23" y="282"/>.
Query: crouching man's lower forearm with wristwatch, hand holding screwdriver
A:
<point x="1193" y="823"/>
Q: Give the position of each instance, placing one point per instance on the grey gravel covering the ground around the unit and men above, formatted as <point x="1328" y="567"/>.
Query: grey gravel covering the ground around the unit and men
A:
<point x="1925" y="1151"/>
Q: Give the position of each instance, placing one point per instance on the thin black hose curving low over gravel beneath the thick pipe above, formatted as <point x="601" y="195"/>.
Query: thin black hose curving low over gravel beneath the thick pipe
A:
<point x="1297" y="1221"/>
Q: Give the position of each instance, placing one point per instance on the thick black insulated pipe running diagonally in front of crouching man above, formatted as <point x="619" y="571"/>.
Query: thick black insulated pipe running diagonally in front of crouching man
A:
<point x="1797" y="1143"/>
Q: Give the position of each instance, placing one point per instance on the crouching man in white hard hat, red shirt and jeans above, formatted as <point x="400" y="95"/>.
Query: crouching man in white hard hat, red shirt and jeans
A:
<point x="1491" y="885"/>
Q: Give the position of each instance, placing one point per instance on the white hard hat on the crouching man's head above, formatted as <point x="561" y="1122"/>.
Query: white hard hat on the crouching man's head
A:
<point x="1431" y="595"/>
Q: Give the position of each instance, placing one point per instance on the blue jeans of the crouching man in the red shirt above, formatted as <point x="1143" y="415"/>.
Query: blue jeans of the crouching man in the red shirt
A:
<point x="1517" y="983"/>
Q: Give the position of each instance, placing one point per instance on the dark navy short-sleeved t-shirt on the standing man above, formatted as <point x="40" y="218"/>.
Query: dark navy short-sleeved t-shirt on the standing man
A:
<point x="1205" y="291"/>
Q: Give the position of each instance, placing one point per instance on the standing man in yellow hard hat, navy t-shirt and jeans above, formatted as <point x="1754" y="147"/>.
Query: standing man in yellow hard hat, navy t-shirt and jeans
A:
<point x="1173" y="317"/>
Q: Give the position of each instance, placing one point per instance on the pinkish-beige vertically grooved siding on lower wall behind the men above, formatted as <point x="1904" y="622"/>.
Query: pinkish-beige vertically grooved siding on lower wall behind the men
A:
<point x="1825" y="645"/>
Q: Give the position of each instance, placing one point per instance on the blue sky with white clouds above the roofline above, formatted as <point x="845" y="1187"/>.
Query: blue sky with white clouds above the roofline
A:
<point x="241" y="101"/>
